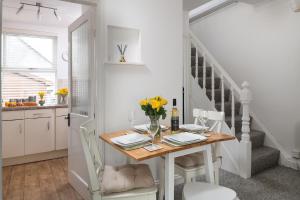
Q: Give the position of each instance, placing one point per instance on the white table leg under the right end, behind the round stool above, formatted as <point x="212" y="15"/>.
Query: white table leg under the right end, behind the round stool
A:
<point x="209" y="166"/>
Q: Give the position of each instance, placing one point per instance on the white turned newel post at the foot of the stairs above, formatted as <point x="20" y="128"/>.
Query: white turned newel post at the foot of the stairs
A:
<point x="245" y="144"/>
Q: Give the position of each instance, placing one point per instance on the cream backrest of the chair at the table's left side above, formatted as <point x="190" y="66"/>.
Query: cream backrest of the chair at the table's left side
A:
<point x="90" y="144"/>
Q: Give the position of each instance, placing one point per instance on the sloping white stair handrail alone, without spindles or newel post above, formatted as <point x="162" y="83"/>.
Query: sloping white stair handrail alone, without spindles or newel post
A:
<point x="216" y="64"/>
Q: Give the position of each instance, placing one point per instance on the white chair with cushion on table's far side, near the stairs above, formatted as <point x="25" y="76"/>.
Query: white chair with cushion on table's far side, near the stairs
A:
<point x="192" y="166"/>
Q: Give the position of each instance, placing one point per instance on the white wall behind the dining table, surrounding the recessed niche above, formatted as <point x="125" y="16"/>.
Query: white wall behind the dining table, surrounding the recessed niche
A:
<point x="160" y="23"/>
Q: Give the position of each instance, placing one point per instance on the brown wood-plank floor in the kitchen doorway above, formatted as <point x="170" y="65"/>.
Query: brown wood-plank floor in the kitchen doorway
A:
<point x="46" y="180"/>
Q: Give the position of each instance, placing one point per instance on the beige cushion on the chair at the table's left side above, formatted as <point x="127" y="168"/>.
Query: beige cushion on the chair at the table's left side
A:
<point x="125" y="178"/>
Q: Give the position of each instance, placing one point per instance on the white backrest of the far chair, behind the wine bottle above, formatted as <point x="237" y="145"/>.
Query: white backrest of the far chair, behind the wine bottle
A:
<point x="214" y="116"/>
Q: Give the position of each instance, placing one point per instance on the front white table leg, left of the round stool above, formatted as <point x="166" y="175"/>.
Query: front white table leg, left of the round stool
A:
<point x="169" y="177"/>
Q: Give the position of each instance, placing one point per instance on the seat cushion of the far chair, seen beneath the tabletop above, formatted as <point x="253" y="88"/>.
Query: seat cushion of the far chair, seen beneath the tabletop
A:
<point x="192" y="160"/>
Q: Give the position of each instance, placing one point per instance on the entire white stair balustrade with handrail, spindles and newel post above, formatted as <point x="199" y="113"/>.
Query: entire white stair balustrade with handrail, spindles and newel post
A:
<point x="245" y="96"/>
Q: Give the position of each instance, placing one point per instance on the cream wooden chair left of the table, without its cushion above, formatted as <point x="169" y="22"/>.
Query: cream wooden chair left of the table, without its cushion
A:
<point x="95" y="166"/>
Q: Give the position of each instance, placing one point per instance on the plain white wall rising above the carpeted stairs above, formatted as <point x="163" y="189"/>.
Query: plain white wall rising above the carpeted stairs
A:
<point x="261" y="44"/>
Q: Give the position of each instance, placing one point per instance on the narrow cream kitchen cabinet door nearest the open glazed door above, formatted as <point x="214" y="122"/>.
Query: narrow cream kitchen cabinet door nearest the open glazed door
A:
<point x="62" y="130"/>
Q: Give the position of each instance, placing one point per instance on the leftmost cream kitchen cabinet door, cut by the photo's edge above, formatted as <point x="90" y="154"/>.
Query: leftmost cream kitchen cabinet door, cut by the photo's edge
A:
<point x="13" y="138"/>
